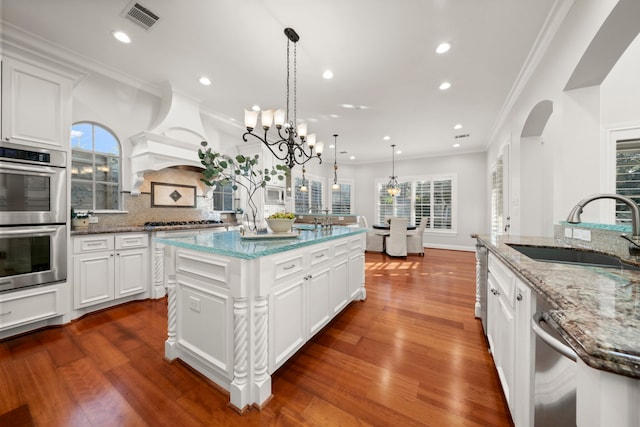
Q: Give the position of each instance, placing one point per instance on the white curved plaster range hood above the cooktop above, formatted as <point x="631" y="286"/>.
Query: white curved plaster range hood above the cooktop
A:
<point x="173" y="141"/>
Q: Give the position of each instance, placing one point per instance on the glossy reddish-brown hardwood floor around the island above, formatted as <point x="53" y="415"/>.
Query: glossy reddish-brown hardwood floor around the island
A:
<point x="411" y="354"/>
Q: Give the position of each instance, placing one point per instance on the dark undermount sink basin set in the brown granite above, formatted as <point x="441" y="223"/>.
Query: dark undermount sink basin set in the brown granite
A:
<point x="573" y="256"/>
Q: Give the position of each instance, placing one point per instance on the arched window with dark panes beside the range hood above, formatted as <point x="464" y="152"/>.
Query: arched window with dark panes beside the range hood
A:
<point x="95" y="168"/>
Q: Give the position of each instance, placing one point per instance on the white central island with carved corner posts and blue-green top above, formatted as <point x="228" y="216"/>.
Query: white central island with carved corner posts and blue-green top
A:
<point x="239" y="307"/>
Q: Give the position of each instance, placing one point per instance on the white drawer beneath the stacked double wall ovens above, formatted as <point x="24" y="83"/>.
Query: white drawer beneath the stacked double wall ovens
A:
<point x="22" y="308"/>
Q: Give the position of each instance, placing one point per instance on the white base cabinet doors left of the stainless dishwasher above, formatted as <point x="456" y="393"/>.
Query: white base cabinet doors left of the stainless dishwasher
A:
<point x="510" y="306"/>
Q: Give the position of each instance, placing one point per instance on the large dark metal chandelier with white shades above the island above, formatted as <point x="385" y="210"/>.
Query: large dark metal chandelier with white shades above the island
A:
<point x="286" y="148"/>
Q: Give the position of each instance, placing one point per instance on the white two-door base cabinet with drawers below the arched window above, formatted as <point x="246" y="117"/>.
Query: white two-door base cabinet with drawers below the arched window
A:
<point x="108" y="267"/>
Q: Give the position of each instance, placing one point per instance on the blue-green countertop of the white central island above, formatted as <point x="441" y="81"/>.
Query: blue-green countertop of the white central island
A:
<point x="232" y="244"/>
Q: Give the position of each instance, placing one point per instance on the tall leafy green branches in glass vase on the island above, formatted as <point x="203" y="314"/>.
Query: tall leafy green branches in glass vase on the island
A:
<point x="241" y="171"/>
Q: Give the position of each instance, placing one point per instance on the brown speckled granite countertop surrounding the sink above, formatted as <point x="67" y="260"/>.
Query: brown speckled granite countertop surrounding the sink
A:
<point x="596" y="310"/>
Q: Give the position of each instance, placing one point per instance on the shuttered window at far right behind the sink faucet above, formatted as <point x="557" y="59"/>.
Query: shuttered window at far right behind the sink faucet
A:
<point x="627" y="176"/>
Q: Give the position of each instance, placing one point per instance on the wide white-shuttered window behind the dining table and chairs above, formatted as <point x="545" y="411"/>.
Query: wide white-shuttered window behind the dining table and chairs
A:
<point x="432" y="198"/>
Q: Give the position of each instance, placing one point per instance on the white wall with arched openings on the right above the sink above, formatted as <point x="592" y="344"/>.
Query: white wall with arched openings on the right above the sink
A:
<point x="572" y="167"/>
